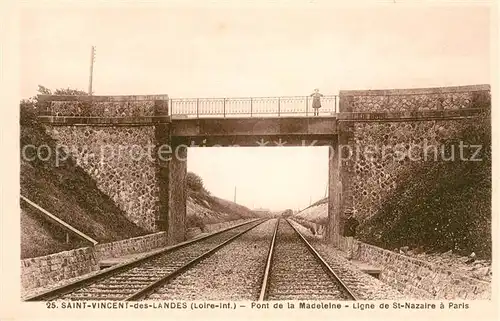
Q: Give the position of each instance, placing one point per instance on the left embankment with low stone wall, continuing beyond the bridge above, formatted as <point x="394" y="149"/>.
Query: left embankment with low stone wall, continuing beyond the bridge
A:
<point x="50" y="254"/>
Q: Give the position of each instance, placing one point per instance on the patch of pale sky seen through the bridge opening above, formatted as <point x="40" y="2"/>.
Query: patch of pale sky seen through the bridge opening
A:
<point x="274" y="178"/>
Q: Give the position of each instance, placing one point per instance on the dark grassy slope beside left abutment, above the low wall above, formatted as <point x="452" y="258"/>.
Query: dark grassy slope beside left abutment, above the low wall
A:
<point x="64" y="190"/>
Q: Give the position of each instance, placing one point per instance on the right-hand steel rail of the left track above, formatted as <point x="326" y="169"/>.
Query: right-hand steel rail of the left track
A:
<point x="164" y="279"/>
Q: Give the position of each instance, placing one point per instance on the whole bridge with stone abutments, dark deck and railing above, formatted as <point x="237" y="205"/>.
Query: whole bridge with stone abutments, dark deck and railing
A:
<point x="135" y="147"/>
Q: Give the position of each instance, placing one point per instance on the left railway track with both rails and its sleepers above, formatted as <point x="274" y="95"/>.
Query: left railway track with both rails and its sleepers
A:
<point x="136" y="279"/>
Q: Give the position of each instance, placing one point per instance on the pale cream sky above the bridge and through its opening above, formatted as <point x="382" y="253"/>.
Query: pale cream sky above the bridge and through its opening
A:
<point x="219" y="51"/>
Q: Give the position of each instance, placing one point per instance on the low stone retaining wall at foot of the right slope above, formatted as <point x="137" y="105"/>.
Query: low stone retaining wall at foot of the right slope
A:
<point x="416" y="278"/>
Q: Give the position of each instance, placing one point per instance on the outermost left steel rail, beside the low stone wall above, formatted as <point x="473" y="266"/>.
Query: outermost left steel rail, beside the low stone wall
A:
<point x="54" y="293"/>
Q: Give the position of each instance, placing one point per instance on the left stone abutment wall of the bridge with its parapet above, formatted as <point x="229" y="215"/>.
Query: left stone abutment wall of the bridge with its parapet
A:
<point x="120" y="153"/>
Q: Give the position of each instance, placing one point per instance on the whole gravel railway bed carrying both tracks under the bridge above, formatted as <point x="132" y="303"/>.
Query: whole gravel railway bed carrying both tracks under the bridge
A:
<point x="256" y="260"/>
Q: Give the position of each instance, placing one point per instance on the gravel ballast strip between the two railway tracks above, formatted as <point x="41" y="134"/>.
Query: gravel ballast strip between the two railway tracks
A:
<point x="234" y="272"/>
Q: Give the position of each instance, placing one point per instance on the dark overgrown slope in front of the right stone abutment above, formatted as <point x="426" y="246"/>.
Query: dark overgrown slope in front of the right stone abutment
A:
<point x="444" y="205"/>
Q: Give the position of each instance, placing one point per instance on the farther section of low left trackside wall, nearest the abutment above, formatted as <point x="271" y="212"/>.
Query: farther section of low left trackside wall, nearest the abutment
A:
<point x="130" y="246"/>
